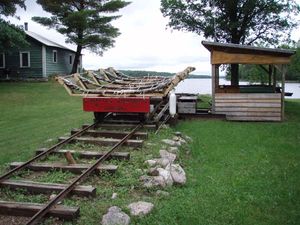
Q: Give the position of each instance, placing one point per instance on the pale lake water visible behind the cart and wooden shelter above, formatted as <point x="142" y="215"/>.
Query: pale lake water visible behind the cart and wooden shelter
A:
<point x="203" y="86"/>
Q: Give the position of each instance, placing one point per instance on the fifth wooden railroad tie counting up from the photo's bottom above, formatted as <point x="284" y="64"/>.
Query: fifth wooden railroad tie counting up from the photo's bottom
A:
<point x="105" y="141"/>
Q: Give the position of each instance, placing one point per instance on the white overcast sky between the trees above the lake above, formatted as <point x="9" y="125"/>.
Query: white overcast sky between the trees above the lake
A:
<point x="145" y="42"/>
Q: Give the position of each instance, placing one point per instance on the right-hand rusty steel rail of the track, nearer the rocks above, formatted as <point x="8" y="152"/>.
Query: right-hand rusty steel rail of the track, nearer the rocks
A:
<point x="40" y="214"/>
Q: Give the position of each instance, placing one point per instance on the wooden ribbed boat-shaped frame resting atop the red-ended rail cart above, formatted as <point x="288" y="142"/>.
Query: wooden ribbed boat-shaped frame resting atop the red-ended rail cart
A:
<point x="111" y="83"/>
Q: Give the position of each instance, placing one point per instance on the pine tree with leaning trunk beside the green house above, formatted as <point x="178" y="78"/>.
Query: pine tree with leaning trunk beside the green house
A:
<point x="83" y="22"/>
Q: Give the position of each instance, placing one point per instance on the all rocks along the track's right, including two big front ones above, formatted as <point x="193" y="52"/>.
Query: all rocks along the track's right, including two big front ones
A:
<point x="162" y="172"/>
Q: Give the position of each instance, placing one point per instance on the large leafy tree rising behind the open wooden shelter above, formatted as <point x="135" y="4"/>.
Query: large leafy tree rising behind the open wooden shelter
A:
<point x="264" y="22"/>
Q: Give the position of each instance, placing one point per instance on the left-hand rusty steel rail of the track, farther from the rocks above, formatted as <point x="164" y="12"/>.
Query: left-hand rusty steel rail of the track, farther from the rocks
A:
<point x="54" y="147"/>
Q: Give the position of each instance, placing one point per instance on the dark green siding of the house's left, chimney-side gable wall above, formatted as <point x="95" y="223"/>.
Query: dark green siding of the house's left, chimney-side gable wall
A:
<point x="12" y="62"/>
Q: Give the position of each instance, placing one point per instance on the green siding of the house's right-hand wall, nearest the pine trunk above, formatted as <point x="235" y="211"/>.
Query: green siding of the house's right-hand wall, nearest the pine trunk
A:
<point x="62" y="66"/>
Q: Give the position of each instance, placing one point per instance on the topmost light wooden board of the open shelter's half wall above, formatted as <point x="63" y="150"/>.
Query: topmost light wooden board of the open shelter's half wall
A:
<point x="247" y="95"/>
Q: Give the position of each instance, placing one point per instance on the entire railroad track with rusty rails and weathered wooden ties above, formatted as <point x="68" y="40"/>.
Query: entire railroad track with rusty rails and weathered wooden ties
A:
<point x="106" y="133"/>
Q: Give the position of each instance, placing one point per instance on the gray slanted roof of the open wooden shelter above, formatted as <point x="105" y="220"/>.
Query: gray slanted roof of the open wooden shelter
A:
<point x="236" y="48"/>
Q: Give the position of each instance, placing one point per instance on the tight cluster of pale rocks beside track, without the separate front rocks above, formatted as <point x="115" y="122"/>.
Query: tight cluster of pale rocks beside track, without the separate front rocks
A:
<point x="163" y="171"/>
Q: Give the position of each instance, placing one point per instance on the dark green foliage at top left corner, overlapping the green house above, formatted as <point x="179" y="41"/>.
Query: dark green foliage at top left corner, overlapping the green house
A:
<point x="11" y="36"/>
